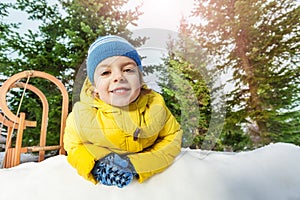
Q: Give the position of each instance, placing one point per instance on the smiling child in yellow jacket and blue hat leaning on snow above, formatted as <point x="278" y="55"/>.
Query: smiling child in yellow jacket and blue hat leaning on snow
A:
<point x="119" y="129"/>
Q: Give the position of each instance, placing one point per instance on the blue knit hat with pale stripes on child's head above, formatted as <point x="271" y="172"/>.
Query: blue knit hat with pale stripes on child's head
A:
<point x="108" y="46"/>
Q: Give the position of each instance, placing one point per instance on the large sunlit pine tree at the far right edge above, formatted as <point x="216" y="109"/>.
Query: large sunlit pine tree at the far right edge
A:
<point x="259" y="42"/>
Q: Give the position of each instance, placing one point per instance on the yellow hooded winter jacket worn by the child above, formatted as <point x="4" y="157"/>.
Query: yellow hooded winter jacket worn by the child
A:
<point x="145" y="131"/>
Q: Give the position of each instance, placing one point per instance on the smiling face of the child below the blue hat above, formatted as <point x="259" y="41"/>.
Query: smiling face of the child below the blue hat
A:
<point x="117" y="81"/>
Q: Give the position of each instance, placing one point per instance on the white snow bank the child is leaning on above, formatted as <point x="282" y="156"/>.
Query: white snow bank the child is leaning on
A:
<point x="270" y="172"/>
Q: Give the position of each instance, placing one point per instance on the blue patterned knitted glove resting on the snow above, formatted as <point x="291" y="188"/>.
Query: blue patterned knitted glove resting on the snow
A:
<point x="114" y="170"/>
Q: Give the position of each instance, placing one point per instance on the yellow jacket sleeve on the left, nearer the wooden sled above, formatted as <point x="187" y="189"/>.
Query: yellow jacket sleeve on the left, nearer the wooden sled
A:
<point x="81" y="154"/>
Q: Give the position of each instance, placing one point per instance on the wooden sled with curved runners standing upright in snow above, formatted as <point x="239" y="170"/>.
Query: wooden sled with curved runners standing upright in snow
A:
<point x="19" y="122"/>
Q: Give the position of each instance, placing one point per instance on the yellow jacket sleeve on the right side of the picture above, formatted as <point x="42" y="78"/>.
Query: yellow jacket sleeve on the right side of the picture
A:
<point x="162" y="153"/>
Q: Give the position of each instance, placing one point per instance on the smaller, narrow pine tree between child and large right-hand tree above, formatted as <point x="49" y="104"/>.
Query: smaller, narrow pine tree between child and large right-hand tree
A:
<point x="186" y="87"/>
